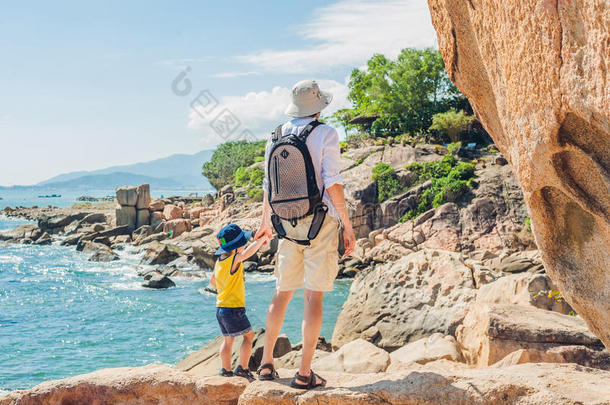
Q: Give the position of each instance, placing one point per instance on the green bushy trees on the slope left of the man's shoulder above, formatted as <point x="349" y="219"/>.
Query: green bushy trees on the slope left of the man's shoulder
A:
<point x="229" y="157"/>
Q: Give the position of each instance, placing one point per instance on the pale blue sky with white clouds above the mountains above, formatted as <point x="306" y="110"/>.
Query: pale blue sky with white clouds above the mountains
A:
<point x="88" y="85"/>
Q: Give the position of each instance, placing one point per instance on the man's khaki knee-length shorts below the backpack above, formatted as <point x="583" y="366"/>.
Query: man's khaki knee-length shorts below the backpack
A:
<point x="315" y="266"/>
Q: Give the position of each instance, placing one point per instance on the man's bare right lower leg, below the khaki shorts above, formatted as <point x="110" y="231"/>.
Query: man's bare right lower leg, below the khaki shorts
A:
<point x="310" y="328"/>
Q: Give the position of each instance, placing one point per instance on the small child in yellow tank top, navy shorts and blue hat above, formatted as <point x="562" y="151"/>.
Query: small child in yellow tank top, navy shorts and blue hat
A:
<point x="228" y="278"/>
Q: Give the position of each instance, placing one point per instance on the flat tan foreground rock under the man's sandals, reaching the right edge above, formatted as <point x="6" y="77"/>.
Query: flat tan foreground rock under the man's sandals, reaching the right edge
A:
<point x="532" y="384"/>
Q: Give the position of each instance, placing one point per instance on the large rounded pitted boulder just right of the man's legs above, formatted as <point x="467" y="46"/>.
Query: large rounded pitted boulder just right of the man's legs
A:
<point x="425" y="292"/>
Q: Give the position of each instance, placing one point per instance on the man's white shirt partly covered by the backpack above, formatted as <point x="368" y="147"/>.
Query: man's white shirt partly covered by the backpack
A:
<point x="323" y="145"/>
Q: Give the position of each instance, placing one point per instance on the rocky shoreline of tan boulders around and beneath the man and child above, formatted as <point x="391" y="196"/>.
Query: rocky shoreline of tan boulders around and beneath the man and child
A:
<point x="453" y="306"/>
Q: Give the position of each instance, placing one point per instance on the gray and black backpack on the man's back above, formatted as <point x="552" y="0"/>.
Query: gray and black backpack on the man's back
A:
<point x="293" y="191"/>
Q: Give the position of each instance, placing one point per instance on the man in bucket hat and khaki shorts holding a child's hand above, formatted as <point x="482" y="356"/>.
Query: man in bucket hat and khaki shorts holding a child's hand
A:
<point x="315" y="266"/>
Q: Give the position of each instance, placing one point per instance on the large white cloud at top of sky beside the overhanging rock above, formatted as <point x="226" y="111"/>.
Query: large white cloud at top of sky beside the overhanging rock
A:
<point x="349" y="32"/>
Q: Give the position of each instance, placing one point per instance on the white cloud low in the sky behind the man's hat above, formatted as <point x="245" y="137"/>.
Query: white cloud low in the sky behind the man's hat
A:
<point x="258" y="112"/>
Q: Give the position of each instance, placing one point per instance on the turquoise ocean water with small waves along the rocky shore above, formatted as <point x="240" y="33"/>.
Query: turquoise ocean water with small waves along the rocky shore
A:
<point x="61" y="315"/>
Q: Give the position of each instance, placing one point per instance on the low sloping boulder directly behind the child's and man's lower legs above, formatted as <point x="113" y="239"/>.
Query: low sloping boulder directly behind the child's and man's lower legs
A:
<point x="206" y="361"/>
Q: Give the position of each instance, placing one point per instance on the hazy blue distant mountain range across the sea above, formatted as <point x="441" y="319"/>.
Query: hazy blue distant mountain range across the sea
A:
<point x="180" y="171"/>
